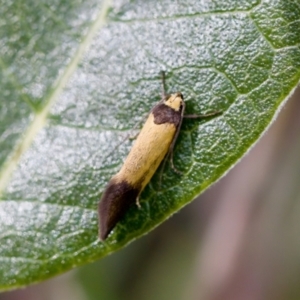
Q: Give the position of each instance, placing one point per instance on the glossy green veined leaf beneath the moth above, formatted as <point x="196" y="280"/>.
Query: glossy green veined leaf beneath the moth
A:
<point x="76" y="76"/>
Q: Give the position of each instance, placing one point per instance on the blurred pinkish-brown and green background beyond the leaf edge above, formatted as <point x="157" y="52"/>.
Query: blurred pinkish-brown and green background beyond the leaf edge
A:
<point x="239" y="240"/>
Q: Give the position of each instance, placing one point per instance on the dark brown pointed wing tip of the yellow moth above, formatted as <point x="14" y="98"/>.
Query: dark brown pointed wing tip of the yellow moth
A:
<point x="114" y="203"/>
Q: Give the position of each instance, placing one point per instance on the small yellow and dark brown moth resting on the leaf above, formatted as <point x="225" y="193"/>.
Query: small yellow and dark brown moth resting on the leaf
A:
<point x="155" y="141"/>
